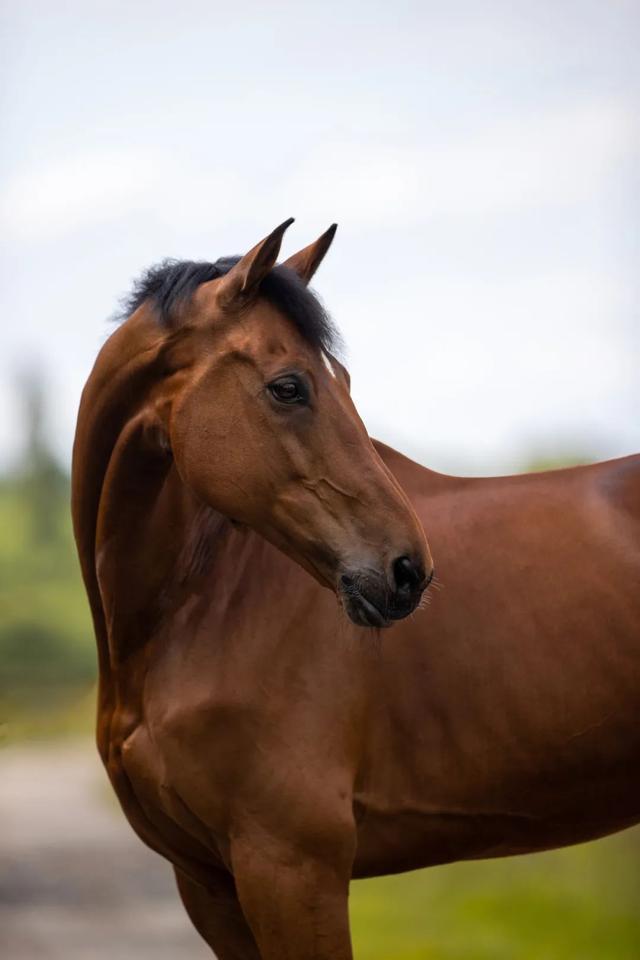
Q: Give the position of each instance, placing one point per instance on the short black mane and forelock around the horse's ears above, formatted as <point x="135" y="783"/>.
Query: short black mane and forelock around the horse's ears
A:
<point x="168" y="287"/>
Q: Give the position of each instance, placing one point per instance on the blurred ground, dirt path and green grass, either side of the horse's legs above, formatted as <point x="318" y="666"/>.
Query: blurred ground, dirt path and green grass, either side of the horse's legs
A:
<point x="77" y="884"/>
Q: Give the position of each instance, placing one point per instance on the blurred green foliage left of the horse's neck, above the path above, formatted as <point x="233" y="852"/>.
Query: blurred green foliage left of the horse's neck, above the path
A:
<point x="47" y="650"/>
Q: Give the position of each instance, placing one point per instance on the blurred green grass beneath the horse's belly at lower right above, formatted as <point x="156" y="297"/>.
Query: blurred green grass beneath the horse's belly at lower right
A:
<point x="581" y="903"/>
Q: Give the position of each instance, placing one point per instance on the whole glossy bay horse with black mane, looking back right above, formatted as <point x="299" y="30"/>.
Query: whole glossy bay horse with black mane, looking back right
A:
<point x="244" y="542"/>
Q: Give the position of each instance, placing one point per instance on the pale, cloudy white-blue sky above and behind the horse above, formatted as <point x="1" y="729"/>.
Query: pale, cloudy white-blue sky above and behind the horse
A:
<point x="480" y="158"/>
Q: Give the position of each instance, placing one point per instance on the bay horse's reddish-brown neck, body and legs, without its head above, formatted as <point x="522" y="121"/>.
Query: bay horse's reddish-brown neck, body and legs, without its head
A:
<point x="271" y="749"/>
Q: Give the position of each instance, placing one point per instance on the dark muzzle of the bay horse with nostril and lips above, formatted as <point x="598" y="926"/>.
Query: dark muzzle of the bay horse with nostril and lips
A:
<point x="372" y="599"/>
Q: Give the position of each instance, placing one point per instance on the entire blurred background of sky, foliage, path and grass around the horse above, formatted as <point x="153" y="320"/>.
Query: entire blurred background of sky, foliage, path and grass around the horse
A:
<point x="482" y="160"/>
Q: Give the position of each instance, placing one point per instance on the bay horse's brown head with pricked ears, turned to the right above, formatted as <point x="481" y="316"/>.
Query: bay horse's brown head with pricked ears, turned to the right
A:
<point x="262" y="427"/>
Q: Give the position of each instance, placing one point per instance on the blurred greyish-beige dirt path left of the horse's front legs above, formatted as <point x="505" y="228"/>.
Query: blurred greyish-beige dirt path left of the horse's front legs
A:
<point x="75" y="883"/>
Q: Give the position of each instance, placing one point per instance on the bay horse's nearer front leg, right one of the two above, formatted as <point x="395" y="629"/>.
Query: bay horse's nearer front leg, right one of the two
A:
<point x="294" y="894"/>
